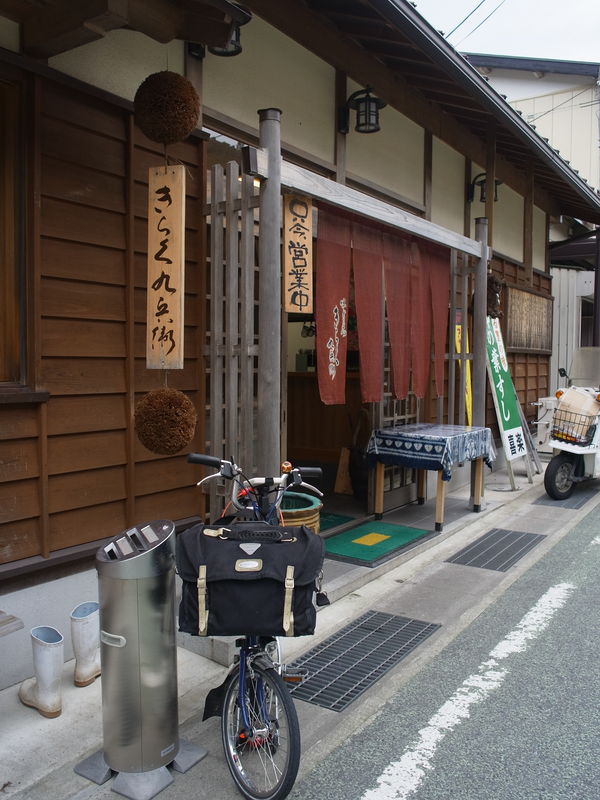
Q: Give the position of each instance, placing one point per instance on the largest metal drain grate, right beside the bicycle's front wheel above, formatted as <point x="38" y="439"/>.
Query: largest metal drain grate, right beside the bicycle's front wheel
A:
<point x="346" y="664"/>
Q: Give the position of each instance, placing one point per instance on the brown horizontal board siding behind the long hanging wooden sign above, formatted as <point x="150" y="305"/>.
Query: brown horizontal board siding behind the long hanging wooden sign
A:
<point x="72" y="470"/>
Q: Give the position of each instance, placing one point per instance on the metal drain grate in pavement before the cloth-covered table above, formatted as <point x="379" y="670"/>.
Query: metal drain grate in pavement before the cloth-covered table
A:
<point x="498" y="549"/>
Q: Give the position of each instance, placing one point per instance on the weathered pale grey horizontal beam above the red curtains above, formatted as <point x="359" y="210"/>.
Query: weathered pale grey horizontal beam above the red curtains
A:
<point x="306" y="182"/>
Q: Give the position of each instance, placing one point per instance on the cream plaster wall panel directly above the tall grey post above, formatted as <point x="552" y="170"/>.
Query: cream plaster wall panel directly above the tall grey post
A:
<point x="272" y="71"/>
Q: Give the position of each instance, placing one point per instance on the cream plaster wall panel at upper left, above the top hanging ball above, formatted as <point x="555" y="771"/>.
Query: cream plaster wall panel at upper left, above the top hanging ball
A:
<point x="120" y="61"/>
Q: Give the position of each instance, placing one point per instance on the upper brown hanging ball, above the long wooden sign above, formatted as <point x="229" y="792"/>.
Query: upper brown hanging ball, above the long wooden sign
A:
<point x="166" y="107"/>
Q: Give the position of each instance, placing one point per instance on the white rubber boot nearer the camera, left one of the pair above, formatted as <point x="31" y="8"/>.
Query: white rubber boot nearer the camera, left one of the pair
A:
<point x="43" y="691"/>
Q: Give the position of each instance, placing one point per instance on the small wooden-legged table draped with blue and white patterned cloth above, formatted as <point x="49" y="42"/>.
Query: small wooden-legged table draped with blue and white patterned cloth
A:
<point x="425" y="446"/>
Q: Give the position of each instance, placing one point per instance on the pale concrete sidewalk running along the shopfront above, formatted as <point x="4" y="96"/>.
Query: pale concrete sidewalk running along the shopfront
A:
<point x="38" y="754"/>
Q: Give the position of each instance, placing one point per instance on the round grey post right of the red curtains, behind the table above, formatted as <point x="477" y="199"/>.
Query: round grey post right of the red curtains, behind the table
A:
<point x="479" y="321"/>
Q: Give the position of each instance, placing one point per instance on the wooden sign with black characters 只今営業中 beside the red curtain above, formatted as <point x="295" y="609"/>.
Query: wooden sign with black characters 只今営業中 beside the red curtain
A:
<point x="297" y="254"/>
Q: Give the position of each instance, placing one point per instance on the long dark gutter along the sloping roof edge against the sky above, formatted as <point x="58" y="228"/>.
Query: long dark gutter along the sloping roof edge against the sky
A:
<point x="406" y="19"/>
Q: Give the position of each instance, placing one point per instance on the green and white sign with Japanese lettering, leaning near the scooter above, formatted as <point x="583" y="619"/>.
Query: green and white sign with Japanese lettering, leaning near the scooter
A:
<point x="503" y="392"/>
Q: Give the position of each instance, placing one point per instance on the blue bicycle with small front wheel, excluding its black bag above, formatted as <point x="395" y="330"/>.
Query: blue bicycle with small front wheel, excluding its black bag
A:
<point x="259" y="723"/>
